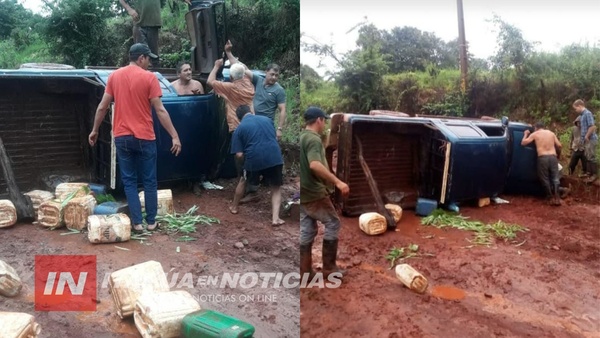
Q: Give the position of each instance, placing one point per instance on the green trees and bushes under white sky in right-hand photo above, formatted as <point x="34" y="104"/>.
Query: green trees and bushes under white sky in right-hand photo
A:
<point x="405" y="69"/>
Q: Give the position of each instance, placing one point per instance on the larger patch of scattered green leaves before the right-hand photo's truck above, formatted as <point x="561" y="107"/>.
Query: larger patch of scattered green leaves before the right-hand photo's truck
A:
<point x="484" y="233"/>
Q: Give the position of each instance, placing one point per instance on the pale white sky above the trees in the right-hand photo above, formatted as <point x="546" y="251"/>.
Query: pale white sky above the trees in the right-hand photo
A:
<point x="553" y="23"/>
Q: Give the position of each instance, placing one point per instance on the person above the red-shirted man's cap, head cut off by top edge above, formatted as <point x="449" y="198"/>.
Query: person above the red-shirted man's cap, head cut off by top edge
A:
<point x="146" y="23"/>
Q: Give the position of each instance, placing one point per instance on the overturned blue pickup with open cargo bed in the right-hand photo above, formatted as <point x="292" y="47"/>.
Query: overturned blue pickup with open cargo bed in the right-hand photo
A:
<point x="443" y="159"/>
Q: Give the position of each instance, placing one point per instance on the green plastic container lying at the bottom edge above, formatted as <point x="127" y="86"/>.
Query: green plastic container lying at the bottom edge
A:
<point x="213" y="324"/>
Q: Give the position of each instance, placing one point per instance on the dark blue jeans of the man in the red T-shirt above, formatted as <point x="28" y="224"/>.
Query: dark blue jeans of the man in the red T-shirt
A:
<point x="138" y="156"/>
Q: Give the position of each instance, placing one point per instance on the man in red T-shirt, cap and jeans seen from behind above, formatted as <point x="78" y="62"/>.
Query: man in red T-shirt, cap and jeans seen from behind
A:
<point x="135" y="91"/>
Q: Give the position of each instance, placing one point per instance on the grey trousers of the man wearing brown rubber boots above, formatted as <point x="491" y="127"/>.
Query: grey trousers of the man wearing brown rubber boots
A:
<point x="321" y="210"/>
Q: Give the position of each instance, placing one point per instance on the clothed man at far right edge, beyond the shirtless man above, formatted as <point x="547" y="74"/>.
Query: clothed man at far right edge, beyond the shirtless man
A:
<point x="588" y="138"/>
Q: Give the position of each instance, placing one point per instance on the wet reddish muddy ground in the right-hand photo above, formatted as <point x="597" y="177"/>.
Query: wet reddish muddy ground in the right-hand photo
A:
<point x="545" y="287"/>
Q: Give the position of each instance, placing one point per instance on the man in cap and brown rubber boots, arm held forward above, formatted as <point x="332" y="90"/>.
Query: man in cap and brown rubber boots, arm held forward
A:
<point x="316" y="183"/>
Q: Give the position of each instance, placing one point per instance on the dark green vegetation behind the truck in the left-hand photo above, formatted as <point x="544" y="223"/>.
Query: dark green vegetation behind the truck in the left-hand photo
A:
<point x="99" y="32"/>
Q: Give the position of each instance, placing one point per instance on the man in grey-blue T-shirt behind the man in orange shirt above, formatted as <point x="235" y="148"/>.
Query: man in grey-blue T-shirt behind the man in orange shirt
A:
<point x="269" y="96"/>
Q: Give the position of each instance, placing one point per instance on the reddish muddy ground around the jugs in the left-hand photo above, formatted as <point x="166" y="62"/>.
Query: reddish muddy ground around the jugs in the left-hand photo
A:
<point x="273" y="312"/>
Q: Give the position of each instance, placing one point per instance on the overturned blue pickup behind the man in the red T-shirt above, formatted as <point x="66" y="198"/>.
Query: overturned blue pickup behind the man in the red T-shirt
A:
<point x="46" y="114"/>
